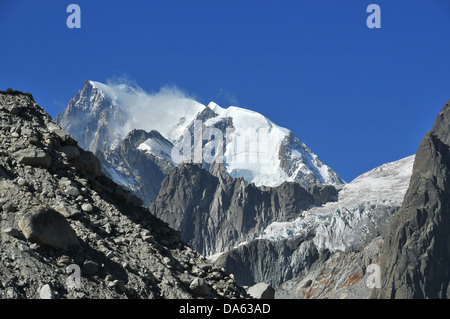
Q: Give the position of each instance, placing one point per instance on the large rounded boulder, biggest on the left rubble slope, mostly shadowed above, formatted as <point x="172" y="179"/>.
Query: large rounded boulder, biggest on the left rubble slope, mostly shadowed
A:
<point x="48" y="227"/>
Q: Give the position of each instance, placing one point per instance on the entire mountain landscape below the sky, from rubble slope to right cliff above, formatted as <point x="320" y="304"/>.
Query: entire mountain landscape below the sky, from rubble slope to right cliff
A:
<point x="159" y="196"/>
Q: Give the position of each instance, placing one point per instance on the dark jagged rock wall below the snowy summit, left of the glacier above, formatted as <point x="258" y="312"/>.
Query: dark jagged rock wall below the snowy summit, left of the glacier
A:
<point x="216" y="212"/>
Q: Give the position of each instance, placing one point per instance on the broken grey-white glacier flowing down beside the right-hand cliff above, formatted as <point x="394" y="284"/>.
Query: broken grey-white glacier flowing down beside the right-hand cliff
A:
<point x="360" y="214"/>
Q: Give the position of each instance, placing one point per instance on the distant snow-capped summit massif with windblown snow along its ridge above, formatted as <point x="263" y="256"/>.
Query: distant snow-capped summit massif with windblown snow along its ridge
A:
<point x="102" y="117"/>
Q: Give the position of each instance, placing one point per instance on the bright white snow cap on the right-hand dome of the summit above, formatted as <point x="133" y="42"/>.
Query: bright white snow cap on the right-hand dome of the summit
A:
<point x="267" y="154"/>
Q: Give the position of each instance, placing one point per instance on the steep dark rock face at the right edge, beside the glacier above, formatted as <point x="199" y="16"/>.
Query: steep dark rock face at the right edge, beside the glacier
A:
<point x="415" y="260"/>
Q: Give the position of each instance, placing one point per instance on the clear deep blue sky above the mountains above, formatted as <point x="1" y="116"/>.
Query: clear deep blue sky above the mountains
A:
<point x="358" y="97"/>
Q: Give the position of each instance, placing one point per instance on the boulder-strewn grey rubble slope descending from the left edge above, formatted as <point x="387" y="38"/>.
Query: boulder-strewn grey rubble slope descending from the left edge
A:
<point x="68" y="231"/>
